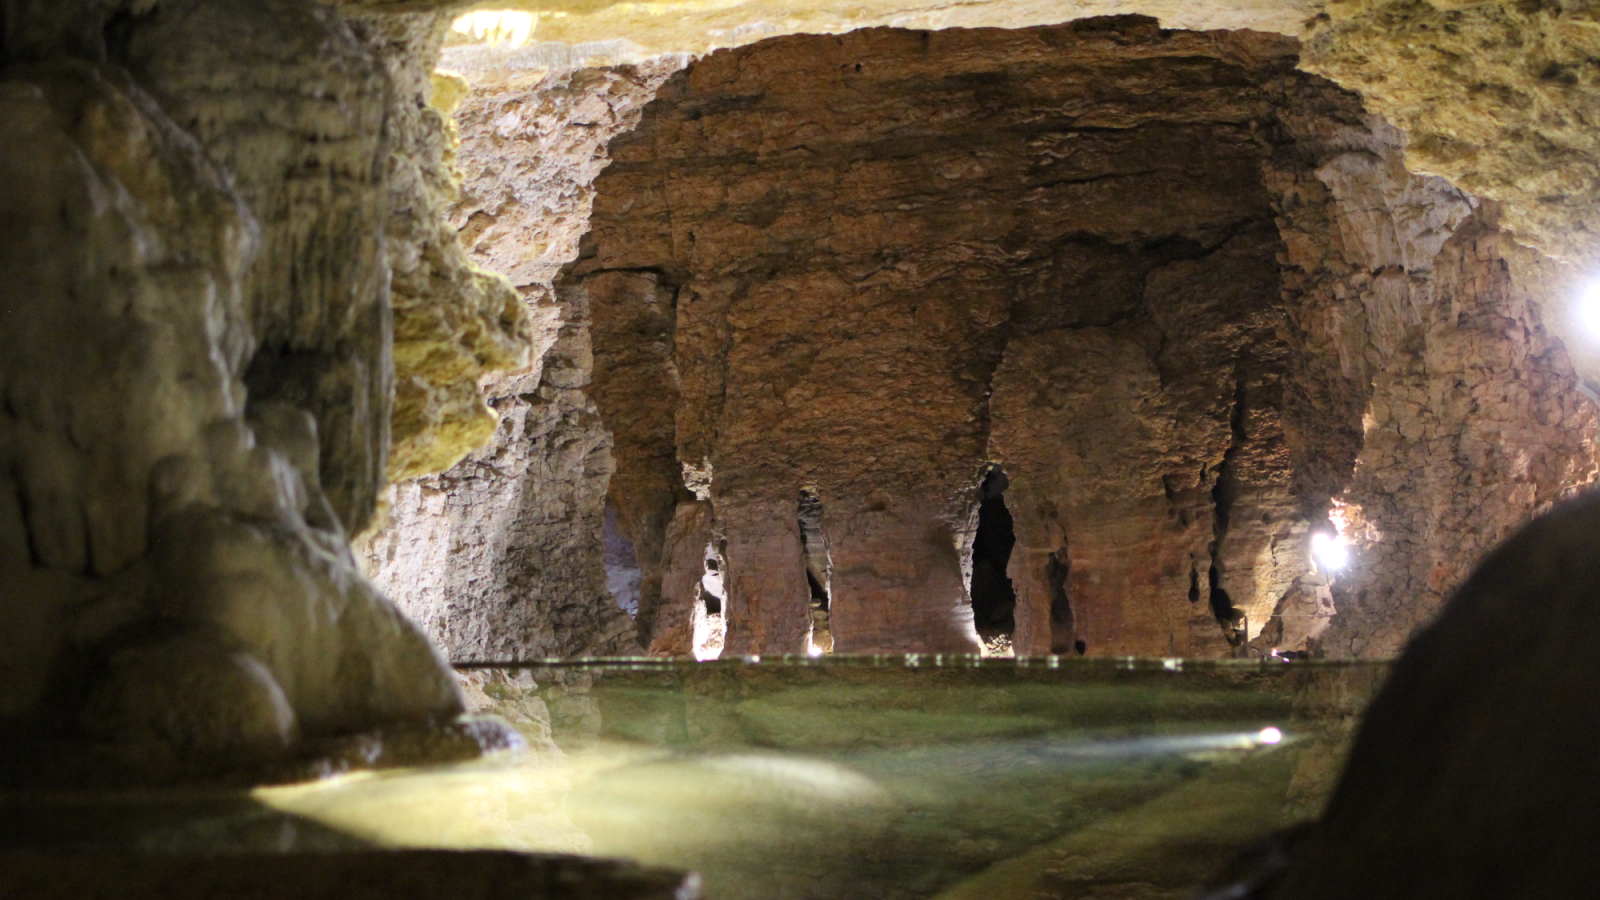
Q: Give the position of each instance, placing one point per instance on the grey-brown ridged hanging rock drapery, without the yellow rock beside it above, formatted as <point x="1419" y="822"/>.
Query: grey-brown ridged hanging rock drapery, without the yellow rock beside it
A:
<point x="313" y="172"/>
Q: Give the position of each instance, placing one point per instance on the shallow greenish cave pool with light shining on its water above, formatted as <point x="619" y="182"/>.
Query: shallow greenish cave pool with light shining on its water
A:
<point x="841" y="779"/>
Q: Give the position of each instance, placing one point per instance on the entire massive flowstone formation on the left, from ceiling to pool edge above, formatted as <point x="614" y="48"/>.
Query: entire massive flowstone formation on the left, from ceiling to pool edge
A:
<point x="196" y="363"/>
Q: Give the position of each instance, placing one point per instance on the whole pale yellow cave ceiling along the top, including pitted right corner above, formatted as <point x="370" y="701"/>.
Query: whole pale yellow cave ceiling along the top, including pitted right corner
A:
<point x="1497" y="97"/>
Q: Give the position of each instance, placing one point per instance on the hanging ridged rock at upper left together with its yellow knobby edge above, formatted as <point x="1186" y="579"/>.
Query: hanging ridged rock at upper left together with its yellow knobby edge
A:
<point x="324" y="284"/>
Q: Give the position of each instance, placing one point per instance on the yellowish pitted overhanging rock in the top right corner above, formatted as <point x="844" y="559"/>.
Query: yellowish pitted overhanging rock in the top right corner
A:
<point x="1500" y="98"/>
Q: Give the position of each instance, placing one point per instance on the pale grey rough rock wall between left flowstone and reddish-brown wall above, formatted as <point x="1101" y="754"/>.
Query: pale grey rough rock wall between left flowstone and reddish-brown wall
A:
<point x="502" y="556"/>
